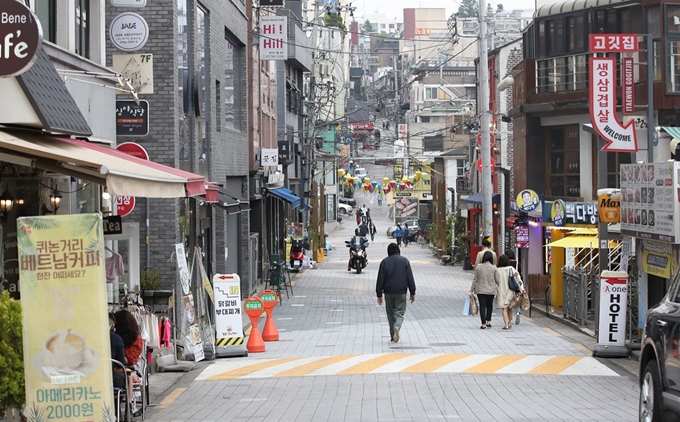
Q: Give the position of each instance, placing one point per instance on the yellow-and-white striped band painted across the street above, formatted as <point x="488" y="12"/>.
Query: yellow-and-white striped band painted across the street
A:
<point x="248" y="368"/>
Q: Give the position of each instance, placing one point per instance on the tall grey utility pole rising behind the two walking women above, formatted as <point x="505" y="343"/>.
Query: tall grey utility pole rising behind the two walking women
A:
<point x="487" y="188"/>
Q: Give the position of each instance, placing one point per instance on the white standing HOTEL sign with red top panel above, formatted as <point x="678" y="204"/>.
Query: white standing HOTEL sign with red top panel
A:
<point x="613" y="306"/>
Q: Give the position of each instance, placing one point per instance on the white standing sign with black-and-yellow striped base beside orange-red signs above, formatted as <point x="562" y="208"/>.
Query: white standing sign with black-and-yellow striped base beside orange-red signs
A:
<point x="228" y="317"/>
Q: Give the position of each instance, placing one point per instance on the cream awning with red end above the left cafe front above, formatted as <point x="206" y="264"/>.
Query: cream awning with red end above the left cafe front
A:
<point x="122" y="174"/>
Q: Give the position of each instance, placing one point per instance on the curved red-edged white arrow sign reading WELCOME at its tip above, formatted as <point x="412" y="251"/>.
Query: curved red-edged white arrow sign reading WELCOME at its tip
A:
<point x="619" y="138"/>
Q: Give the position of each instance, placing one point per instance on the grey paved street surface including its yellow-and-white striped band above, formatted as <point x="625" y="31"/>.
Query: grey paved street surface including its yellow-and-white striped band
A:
<point x="334" y="361"/>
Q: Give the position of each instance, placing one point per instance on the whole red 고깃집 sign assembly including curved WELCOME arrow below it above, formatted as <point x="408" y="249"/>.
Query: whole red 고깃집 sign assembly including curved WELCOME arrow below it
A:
<point x="619" y="137"/>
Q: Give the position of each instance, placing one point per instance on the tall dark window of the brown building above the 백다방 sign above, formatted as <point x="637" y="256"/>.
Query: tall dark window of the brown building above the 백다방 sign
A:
<point x="564" y="169"/>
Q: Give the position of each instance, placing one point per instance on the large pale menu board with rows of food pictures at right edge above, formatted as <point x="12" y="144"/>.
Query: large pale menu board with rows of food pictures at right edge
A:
<point x="649" y="201"/>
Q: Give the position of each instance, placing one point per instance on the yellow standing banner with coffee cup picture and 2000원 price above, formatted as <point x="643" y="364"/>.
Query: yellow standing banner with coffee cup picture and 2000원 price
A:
<point x="66" y="341"/>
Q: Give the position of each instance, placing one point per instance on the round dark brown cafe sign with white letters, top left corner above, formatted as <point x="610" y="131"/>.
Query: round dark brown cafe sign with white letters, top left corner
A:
<point x="20" y="38"/>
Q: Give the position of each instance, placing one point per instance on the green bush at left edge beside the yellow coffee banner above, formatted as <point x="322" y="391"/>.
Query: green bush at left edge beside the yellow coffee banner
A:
<point x="11" y="354"/>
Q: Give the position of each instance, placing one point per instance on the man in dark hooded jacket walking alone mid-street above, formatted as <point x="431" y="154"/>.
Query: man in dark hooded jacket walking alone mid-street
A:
<point x="394" y="279"/>
